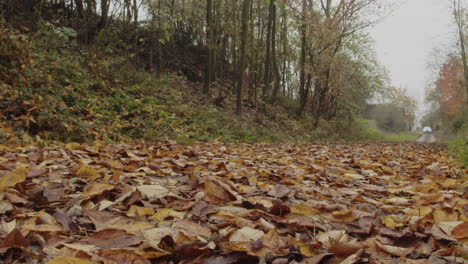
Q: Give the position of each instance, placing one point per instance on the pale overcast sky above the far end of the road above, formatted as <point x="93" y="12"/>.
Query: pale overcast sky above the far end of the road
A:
<point x="406" y="38"/>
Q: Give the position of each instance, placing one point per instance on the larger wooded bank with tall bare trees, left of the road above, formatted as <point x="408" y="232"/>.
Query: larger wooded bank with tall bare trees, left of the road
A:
<point x="306" y="68"/>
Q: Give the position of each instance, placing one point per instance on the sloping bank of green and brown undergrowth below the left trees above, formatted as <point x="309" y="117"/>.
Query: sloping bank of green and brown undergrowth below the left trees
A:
<point x="56" y="89"/>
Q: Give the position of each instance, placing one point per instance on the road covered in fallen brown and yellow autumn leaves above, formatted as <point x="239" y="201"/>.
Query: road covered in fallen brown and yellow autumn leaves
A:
<point x="232" y="203"/>
